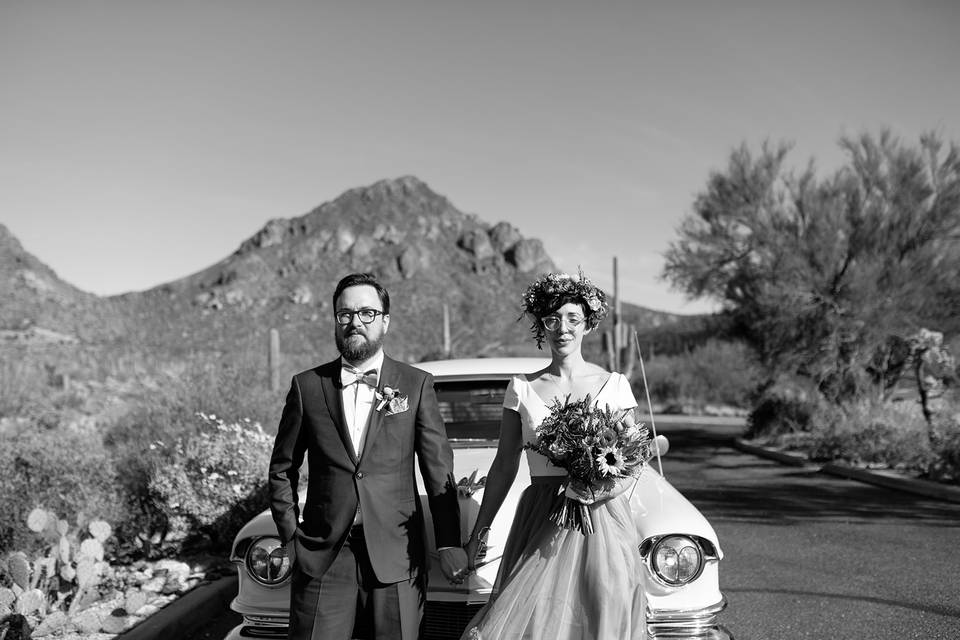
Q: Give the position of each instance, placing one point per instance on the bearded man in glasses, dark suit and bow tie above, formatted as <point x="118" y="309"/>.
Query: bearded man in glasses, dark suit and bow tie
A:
<point x="359" y="551"/>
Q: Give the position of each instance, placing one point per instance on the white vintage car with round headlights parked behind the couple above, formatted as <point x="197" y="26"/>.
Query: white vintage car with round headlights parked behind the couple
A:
<point x="680" y="550"/>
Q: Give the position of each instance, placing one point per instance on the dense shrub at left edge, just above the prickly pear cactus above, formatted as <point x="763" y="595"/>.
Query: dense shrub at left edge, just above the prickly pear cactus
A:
<point x="63" y="470"/>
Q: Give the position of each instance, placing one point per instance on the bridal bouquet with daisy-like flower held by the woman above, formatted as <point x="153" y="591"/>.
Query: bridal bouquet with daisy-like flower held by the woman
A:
<point x="596" y="448"/>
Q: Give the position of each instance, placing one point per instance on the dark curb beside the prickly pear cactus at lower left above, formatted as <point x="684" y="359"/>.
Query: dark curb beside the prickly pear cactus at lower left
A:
<point x="182" y="616"/>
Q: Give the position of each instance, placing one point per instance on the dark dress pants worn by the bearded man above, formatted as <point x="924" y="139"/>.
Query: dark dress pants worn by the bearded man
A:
<point x="349" y="602"/>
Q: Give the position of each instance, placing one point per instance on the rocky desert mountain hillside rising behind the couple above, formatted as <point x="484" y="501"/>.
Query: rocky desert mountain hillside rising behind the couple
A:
<point x="427" y="253"/>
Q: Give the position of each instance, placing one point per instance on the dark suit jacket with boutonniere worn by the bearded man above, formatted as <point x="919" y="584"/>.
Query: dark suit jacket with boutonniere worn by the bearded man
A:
<point x="381" y="481"/>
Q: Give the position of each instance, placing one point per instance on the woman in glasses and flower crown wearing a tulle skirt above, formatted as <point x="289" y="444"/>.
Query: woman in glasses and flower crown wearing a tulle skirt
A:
<point x="557" y="583"/>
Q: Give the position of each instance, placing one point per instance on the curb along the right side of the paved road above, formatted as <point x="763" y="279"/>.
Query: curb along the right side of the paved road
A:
<point x="880" y="477"/>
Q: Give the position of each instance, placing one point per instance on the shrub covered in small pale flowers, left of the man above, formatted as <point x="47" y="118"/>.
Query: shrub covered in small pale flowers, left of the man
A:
<point x="201" y="487"/>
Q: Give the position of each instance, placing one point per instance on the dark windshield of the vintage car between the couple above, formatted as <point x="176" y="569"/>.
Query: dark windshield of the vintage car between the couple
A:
<point x="471" y="409"/>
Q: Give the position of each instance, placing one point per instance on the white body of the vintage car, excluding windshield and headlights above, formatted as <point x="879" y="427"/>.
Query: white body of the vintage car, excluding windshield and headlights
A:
<point x="683" y="611"/>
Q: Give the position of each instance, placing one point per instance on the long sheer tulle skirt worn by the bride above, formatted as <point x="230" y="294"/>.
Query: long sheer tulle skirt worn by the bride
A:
<point x="558" y="584"/>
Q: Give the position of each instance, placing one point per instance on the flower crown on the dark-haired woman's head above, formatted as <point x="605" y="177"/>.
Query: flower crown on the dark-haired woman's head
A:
<point x="547" y="293"/>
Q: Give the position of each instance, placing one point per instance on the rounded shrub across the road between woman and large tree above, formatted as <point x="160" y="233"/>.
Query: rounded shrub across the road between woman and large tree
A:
<point x="717" y="372"/>
